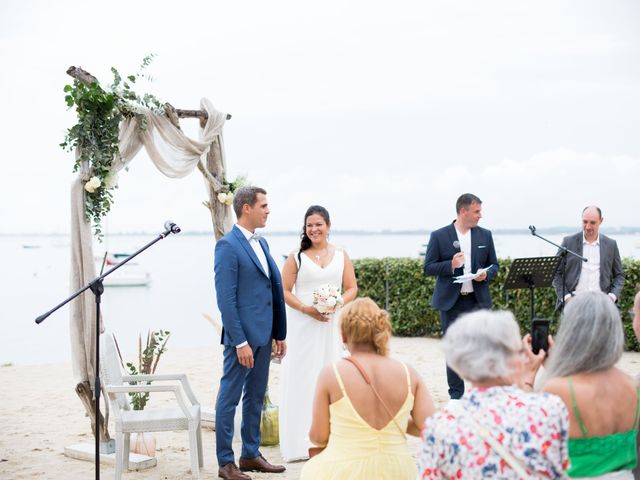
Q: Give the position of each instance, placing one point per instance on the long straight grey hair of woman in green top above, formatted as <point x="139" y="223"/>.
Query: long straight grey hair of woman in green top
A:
<point x="590" y="337"/>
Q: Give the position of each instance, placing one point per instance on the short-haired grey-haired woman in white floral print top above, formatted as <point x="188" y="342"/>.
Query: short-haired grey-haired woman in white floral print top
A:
<point x="499" y="428"/>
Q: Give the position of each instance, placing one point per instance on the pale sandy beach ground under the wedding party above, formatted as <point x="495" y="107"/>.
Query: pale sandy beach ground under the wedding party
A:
<point x="40" y="414"/>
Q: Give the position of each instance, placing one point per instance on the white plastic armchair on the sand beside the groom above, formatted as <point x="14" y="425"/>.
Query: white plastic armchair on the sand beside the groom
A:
<point x="116" y="385"/>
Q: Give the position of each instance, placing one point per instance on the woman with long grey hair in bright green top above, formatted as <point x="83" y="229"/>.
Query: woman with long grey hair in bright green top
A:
<point x="603" y="402"/>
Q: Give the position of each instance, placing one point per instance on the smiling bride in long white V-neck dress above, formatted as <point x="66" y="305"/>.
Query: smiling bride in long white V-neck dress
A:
<point x="313" y="339"/>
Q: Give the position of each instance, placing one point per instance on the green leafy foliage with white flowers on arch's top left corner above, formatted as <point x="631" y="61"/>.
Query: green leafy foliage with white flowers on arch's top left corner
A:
<point x="100" y="112"/>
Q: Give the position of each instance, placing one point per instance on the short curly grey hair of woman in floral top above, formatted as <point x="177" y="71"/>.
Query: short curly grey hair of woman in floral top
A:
<point x="480" y="345"/>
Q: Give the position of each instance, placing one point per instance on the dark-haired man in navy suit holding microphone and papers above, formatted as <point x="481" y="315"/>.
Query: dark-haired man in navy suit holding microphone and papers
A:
<point x="461" y="248"/>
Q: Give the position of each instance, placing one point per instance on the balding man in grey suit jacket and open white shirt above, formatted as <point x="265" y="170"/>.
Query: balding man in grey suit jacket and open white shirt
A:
<point x="603" y="268"/>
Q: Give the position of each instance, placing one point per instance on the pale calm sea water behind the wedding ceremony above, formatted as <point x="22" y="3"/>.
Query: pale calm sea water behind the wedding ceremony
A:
<point x="36" y="278"/>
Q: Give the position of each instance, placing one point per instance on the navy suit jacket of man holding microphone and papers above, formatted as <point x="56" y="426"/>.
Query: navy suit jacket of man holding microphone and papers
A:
<point x="437" y="263"/>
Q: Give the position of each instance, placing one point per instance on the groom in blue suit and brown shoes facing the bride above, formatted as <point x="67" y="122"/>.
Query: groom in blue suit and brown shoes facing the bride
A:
<point x="250" y="299"/>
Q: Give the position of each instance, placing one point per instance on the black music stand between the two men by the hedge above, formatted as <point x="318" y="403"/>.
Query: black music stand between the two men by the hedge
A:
<point x="531" y="273"/>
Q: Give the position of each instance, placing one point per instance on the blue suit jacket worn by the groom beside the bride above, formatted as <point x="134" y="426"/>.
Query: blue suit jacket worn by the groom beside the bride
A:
<point x="250" y="301"/>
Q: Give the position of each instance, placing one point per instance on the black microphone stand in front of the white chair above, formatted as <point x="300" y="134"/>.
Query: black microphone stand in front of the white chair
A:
<point x="97" y="288"/>
